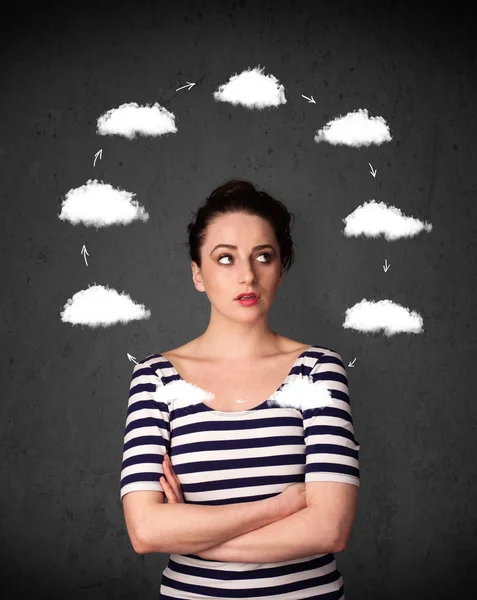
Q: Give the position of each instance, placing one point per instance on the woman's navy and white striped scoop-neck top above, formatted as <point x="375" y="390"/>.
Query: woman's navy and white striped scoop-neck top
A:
<point x="226" y="457"/>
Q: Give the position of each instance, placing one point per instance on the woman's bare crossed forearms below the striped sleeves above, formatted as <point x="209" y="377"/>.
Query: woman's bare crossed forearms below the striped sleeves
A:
<point x="255" y="532"/>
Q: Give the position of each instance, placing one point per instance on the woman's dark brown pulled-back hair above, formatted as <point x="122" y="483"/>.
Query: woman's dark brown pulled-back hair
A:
<point x="242" y="197"/>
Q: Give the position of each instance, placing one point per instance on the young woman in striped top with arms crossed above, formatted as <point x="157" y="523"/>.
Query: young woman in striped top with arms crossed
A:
<point x="260" y="493"/>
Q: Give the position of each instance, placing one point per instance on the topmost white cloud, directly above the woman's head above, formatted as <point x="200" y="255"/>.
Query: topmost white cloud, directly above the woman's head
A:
<point x="252" y="89"/>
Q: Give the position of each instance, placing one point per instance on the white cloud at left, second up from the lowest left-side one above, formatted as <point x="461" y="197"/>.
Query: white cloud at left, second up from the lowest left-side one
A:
<point x="100" y="205"/>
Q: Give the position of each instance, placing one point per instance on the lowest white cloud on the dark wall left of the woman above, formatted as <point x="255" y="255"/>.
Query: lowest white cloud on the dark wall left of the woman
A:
<point x="100" y="306"/>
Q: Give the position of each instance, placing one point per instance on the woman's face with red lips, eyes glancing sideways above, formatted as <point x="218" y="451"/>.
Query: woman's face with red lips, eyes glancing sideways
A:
<point x="227" y="272"/>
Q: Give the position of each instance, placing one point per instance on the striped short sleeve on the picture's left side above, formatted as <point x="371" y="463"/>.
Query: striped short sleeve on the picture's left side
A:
<point x="146" y="435"/>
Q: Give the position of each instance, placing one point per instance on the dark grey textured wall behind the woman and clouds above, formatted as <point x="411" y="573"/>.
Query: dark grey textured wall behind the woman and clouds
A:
<point x="64" y="388"/>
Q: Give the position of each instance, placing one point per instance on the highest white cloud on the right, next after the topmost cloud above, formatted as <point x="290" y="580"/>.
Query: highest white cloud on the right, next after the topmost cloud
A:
<point x="355" y="129"/>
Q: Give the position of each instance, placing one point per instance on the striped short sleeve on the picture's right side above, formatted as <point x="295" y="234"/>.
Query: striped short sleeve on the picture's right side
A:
<point x="332" y="452"/>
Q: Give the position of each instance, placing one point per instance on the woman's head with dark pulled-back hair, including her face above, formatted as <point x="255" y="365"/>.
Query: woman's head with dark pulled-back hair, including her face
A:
<point x="236" y="214"/>
